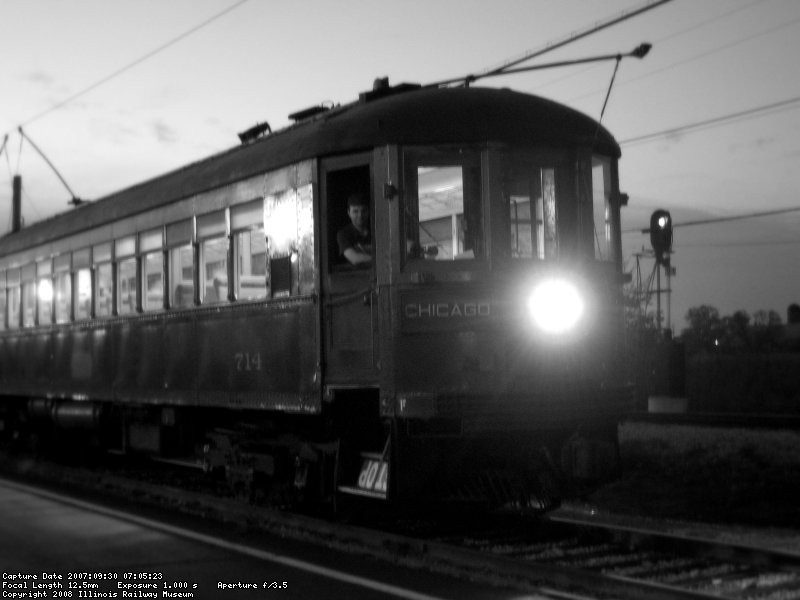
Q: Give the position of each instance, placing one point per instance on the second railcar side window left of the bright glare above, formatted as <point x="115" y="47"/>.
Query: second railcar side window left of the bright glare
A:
<point x="213" y="239"/>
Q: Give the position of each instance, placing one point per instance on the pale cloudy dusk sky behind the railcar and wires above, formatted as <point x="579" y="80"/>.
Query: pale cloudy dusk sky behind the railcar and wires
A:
<point x="115" y="93"/>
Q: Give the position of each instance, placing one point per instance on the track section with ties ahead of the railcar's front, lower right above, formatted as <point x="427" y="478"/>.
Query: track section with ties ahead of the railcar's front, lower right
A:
<point x="641" y="563"/>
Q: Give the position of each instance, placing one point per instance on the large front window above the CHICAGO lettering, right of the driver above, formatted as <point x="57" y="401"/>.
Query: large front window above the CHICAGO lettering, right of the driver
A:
<point x="443" y="219"/>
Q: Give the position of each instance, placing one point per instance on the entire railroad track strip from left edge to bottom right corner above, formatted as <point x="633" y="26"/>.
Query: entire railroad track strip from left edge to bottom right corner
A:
<point x="558" y="557"/>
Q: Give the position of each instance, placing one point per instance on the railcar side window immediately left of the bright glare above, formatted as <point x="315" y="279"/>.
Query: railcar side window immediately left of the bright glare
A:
<point x="250" y="250"/>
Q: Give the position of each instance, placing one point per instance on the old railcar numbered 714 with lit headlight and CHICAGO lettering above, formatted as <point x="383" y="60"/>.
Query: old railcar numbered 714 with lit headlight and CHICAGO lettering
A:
<point x="208" y="315"/>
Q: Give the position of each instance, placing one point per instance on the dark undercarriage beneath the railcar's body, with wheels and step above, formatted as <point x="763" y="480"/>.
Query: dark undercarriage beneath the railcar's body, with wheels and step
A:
<point x="347" y="451"/>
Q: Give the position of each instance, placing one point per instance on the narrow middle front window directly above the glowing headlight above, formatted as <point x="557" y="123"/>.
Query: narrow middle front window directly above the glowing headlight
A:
<point x="532" y="212"/>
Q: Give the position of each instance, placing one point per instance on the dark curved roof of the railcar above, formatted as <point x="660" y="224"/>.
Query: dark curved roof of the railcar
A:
<point x="402" y="115"/>
